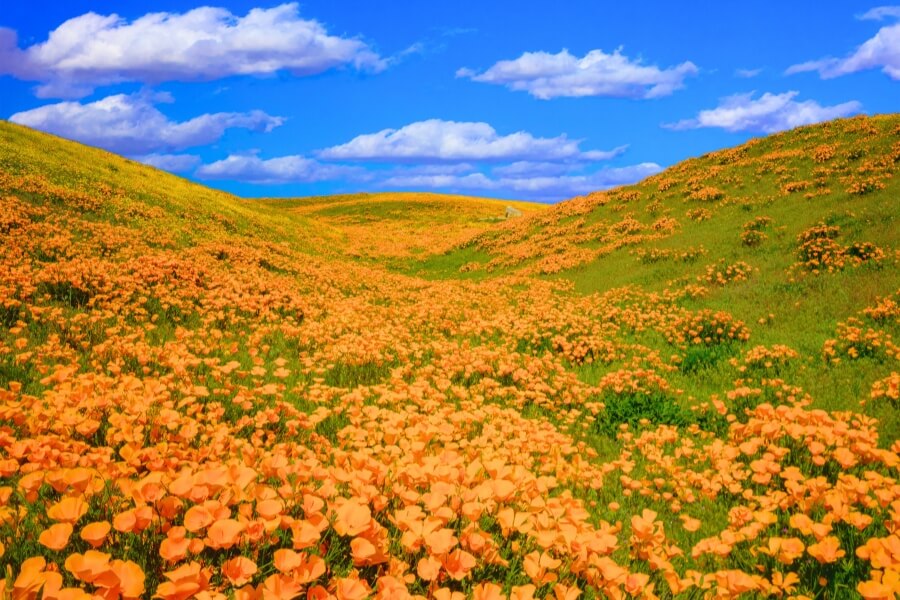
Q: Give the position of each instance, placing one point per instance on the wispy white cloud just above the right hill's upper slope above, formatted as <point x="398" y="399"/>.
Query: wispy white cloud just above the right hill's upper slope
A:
<point x="768" y="114"/>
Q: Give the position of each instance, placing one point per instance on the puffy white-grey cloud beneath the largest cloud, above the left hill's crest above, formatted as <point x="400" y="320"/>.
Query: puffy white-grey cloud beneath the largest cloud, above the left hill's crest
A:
<point x="131" y="124"/>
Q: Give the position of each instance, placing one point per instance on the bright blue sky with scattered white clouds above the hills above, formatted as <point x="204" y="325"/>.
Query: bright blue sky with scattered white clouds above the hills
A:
<point x="506" y="99"/>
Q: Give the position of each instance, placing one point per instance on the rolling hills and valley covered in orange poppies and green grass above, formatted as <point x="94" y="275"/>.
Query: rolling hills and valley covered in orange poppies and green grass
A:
<point x="688" y="387"/>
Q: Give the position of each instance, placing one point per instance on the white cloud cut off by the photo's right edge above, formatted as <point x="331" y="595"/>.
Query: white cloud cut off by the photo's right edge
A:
<point x="879" y="52"/>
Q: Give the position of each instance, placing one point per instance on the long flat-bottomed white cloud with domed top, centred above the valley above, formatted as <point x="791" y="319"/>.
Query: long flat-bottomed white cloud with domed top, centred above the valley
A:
<point x="437" y="140"/>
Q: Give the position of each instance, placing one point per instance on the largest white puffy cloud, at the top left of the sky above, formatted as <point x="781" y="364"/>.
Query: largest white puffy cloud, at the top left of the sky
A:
<point x="202" y="44"/>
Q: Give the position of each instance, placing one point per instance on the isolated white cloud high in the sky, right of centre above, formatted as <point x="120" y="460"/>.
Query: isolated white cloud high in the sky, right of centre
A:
<point x="545" y="75"/>
